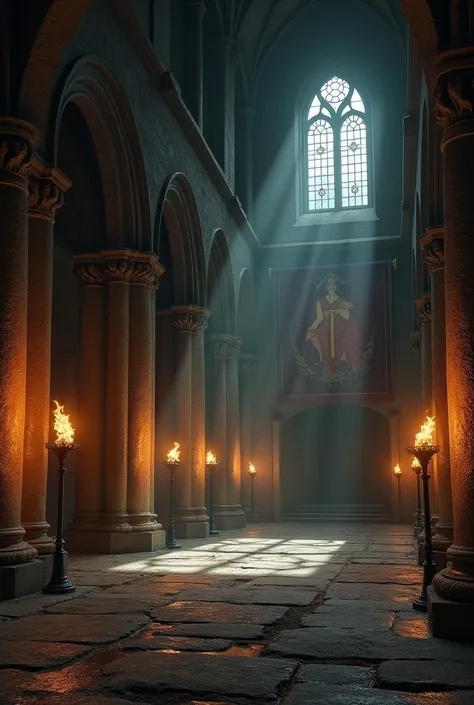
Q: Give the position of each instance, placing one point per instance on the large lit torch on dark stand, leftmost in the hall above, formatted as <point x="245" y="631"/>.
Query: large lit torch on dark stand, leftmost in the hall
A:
<point x="61" y="447"/>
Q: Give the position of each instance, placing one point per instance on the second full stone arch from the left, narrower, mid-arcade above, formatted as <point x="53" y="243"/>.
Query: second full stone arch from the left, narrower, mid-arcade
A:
<point x="178" y="221"/>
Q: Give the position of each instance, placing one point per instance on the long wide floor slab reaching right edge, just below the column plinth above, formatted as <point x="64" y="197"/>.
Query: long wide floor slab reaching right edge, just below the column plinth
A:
<point x="351" y="644"/>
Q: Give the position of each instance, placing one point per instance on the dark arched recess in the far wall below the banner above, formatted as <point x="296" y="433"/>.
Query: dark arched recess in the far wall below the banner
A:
<point x="335" y="463"/>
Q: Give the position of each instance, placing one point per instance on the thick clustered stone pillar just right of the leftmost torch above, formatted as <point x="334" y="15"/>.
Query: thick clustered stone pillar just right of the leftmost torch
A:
<point x="114" y="475"/>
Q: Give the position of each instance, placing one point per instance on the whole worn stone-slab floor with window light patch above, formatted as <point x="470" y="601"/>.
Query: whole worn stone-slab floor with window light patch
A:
<point x="275" y="614"/>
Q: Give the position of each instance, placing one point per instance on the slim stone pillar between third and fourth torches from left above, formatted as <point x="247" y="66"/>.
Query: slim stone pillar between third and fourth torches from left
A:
<point x="229" y="515"/>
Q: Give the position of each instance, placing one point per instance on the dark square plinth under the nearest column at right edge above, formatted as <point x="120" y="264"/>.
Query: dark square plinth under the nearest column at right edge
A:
<point x="449" y="619"/>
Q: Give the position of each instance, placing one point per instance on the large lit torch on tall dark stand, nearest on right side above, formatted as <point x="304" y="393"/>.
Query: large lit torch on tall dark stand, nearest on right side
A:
<point x="423" y="450"/>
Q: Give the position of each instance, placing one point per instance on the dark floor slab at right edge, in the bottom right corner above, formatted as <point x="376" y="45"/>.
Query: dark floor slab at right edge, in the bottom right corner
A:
<point x="425" y="675"/>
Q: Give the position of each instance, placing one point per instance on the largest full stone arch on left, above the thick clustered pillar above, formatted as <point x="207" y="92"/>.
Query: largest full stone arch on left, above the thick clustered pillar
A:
<point x="93" y="88"/>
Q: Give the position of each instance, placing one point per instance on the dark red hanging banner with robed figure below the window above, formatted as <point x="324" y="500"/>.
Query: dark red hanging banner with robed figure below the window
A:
<point x="334" y="333"/>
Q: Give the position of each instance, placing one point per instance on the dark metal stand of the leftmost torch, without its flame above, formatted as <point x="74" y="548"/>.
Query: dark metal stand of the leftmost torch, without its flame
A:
<point x="59" y="583"/>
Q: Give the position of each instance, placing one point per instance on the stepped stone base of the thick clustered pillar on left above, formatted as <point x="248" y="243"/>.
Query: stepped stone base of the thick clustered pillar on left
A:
<point x="112" y="542"/>
